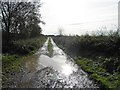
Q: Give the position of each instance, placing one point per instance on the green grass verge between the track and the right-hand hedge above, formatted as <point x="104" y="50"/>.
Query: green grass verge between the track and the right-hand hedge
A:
<point x="99" y="74"/>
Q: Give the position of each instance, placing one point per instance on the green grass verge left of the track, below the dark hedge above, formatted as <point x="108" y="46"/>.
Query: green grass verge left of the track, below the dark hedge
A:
<point x="10" y="65"/>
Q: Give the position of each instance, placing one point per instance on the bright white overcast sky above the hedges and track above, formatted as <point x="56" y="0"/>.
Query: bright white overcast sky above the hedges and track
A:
<point x="78" y="16"/>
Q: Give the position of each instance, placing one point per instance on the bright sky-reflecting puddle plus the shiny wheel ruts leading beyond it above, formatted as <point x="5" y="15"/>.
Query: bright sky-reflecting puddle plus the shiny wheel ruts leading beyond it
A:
<point x="58" y="62"/>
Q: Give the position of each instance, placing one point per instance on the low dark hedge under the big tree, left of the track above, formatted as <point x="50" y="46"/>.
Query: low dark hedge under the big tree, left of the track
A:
<point x="23" y="47"/>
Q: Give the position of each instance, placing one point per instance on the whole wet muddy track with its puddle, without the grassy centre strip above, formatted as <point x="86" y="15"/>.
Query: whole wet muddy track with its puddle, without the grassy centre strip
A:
<point x="58" y="71"/>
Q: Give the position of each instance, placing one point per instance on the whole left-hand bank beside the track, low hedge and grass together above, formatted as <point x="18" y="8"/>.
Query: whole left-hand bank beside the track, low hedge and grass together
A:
<point x="21" y="50"/>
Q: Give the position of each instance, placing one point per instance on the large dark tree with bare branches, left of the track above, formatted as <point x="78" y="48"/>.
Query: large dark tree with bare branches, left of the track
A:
<point x="20" y="20"/>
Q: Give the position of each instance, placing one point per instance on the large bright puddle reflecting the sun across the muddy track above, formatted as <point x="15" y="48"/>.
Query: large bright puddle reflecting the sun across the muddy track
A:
<point x="58" y="63"/>
